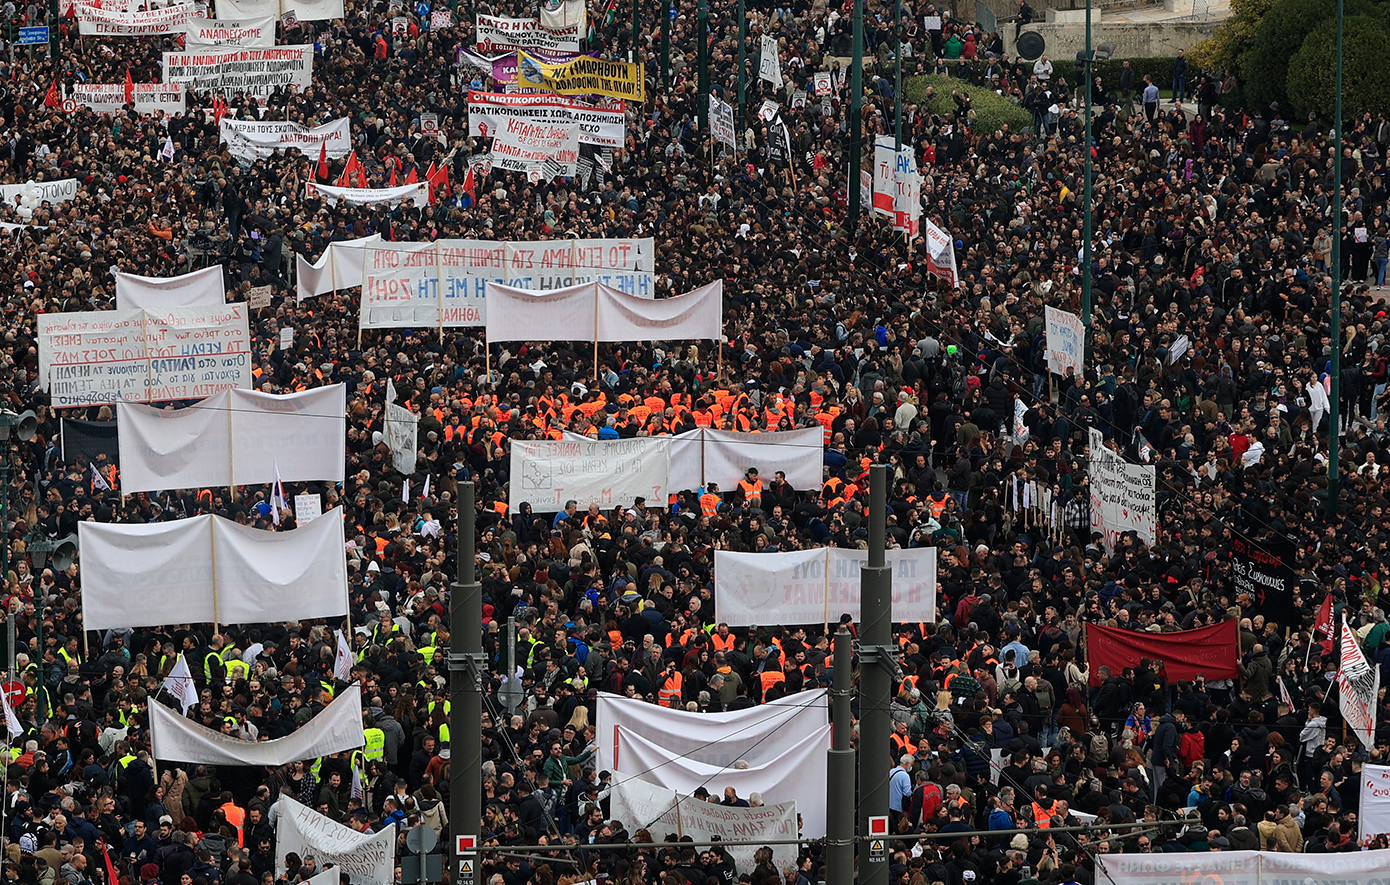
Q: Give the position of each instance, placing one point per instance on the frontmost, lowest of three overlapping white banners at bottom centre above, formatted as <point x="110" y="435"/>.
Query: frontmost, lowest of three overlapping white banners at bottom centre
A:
<point x="661" y="812"/>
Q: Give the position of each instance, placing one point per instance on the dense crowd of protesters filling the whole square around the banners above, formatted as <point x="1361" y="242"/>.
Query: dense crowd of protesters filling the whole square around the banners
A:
<point x="1210" y="355"/>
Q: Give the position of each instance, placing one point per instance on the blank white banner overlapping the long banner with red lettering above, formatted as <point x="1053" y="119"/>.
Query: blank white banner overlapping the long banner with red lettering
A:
<point x="594" y="312"/>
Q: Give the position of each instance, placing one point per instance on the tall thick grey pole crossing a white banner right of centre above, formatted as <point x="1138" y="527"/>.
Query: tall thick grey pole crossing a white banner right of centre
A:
<point x="878" y="663"/>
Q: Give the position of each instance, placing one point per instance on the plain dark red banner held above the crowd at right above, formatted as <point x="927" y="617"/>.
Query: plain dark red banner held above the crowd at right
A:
<point x="1209" y="651"/>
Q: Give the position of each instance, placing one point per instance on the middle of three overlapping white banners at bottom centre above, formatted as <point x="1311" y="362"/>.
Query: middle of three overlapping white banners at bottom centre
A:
<point x="797" y="776"/>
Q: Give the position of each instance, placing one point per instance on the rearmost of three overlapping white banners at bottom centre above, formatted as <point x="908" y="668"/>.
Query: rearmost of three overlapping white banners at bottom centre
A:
<point x="755" y="736"/>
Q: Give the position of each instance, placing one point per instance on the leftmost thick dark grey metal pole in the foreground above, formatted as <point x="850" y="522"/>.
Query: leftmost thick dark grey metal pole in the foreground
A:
<point x="468" y="669"/>
